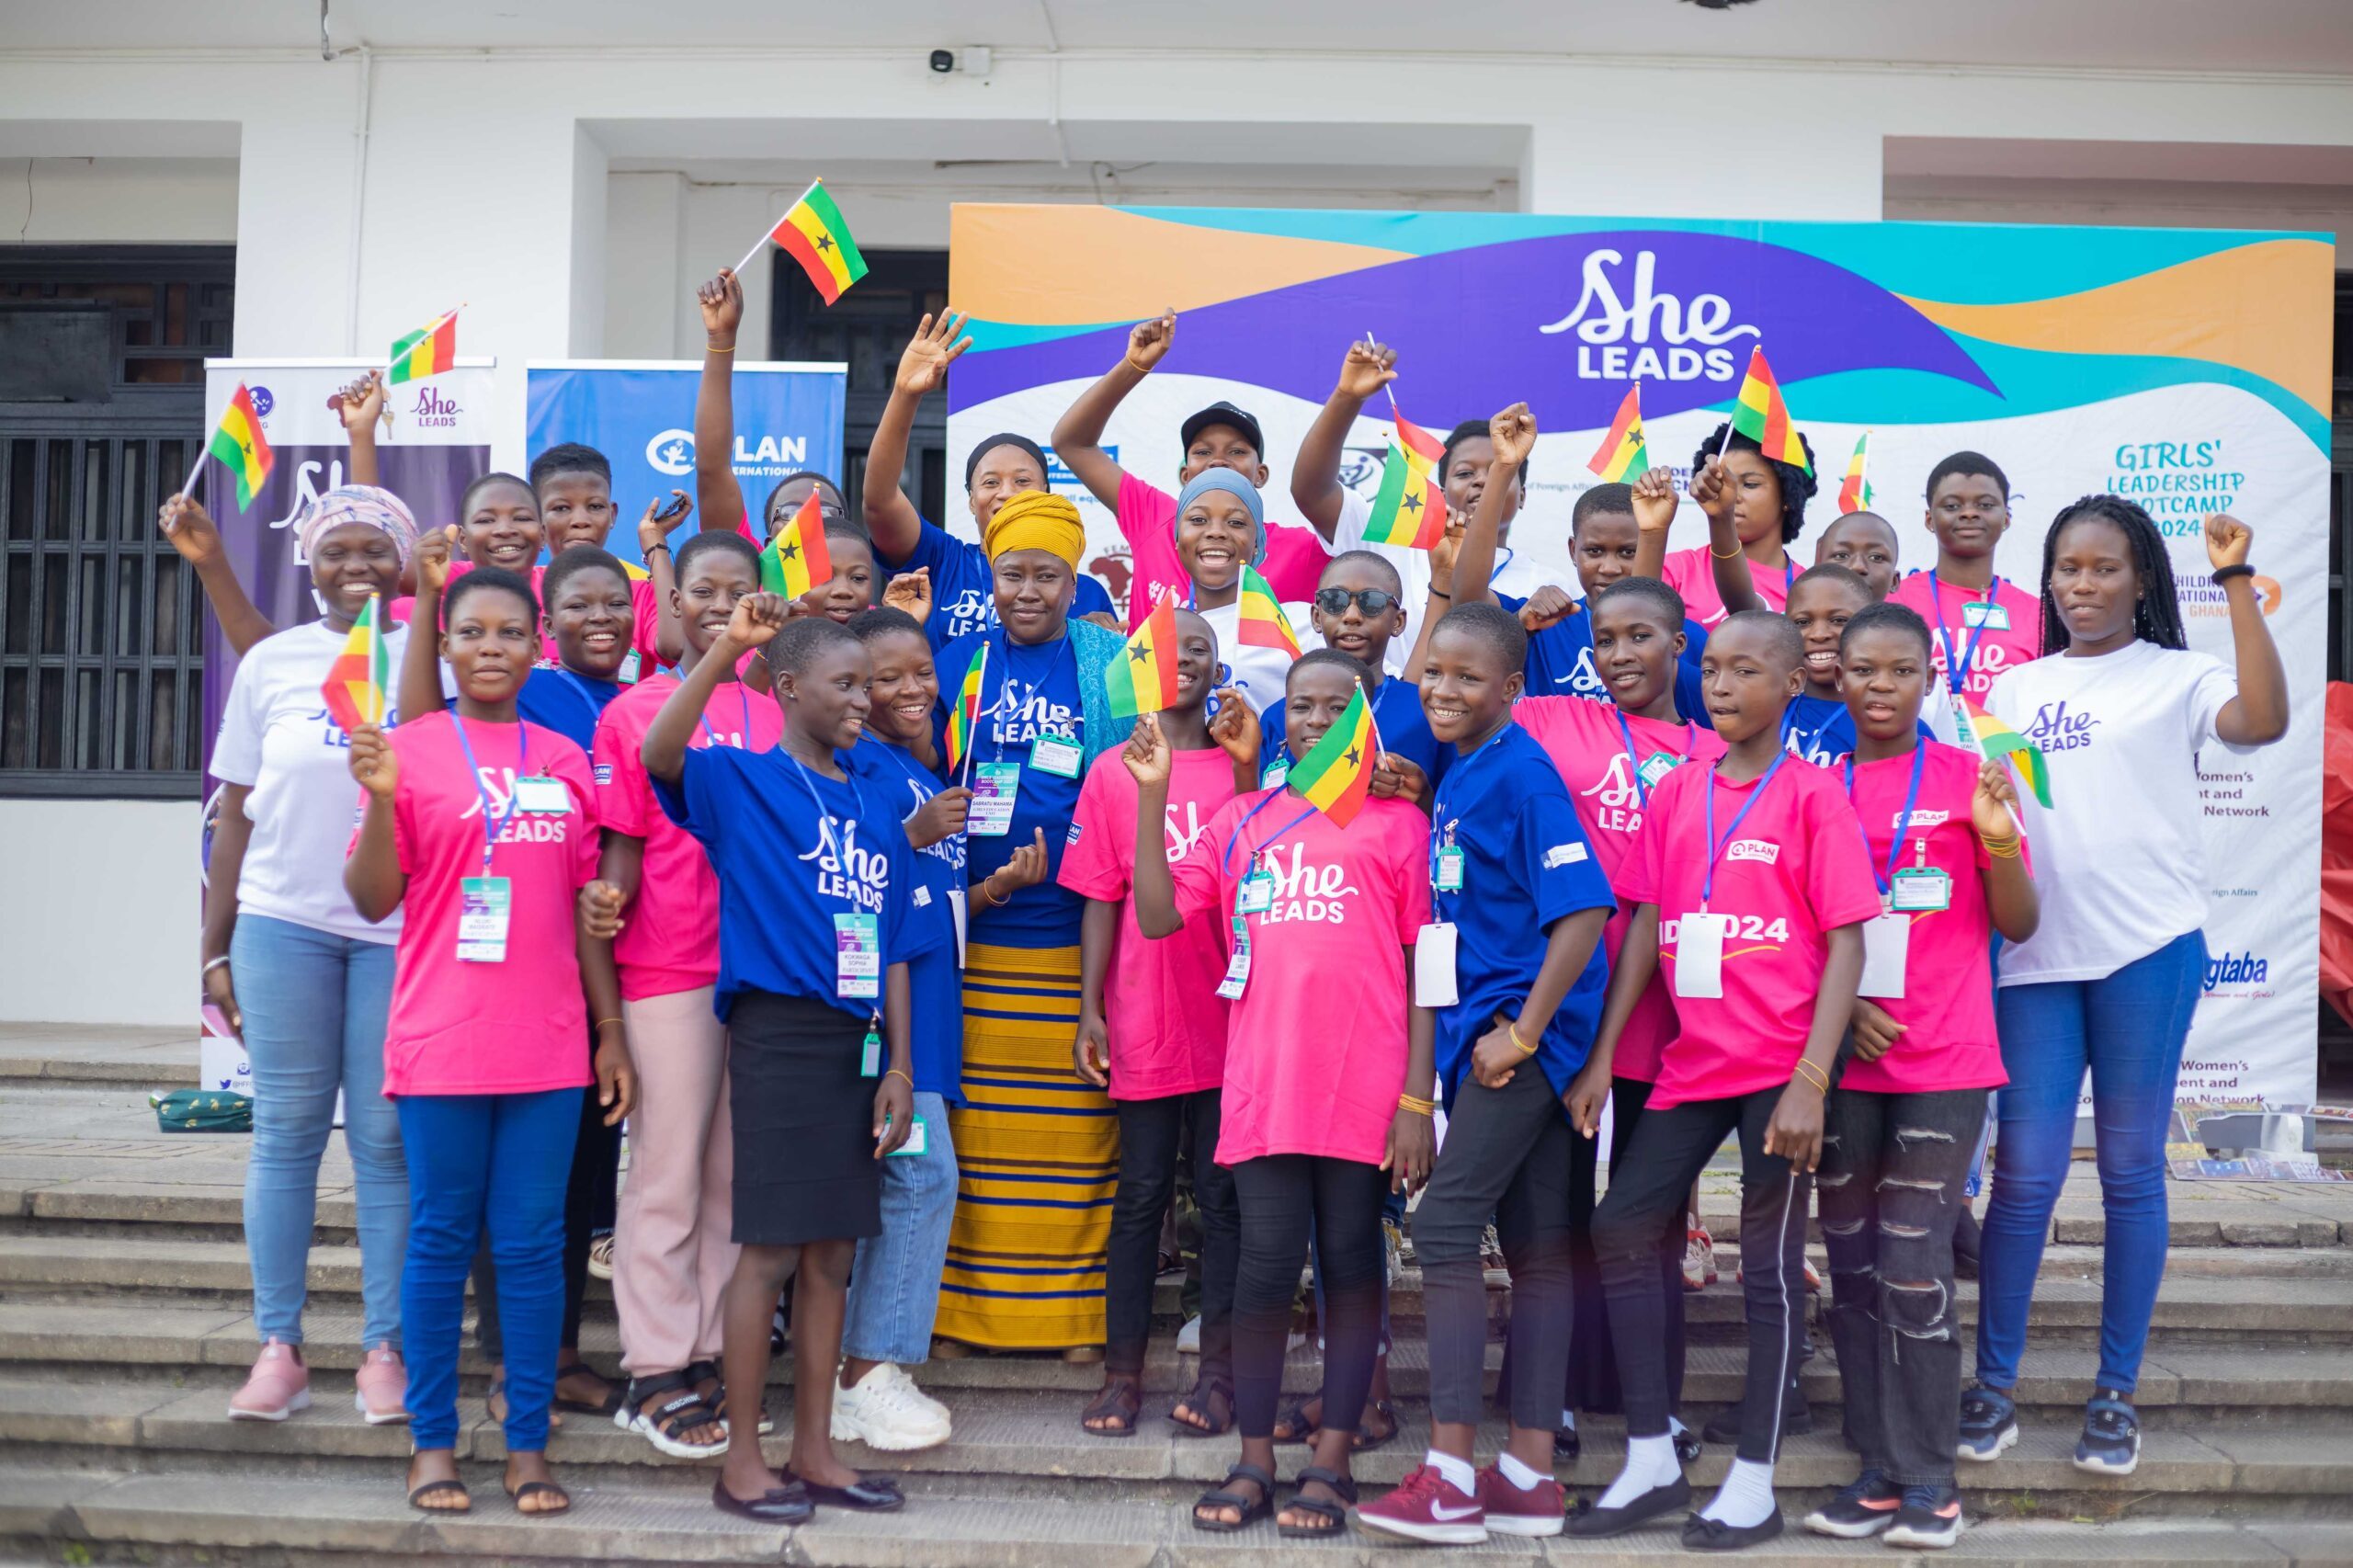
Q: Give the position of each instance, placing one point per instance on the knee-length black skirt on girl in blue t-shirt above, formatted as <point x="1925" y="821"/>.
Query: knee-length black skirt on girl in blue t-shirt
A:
<point x="804" y="1124"/>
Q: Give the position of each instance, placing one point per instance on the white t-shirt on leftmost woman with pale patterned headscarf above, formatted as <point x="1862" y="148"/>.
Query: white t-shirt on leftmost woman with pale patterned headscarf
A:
<point x="276" y="740"/>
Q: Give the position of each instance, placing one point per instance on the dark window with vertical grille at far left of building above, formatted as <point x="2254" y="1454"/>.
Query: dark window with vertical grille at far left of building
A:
<point x="102" y="401"/>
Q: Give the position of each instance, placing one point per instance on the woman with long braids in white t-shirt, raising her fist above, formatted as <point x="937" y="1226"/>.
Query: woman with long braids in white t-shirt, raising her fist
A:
<point x="2112" y="976"/>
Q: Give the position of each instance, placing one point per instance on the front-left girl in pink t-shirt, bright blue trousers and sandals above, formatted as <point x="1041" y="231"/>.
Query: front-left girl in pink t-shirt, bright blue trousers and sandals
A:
<point x="481" y="830"/>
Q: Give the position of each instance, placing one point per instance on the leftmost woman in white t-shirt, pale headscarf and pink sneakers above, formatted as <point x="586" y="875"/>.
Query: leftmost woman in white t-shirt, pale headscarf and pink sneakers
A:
<point x="295" y="969"/>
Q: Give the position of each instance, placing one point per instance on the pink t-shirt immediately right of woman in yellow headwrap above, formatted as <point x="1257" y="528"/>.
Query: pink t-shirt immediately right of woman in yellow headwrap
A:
<point x="1161" y="1009"/>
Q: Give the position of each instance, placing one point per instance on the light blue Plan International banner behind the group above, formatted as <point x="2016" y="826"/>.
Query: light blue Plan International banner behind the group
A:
<point x="641" y="418"/>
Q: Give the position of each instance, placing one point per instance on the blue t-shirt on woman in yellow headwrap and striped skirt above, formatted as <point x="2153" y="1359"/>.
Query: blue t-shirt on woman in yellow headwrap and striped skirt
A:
<point x="1025" y="691"/>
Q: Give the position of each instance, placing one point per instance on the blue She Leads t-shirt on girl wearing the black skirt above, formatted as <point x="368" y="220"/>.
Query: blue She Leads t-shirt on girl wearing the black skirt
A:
<point x="794" y="851"/>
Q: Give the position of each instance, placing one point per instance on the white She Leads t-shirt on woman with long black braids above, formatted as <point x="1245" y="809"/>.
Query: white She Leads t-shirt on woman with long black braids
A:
<point x="2121" y="851"/>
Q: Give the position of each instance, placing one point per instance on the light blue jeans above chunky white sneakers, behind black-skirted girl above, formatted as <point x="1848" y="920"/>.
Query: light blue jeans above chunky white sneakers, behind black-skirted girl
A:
<point x="895" y="1277"/>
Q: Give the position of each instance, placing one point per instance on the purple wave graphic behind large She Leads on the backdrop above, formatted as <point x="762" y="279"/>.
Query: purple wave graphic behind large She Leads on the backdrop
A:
<point x="1677" y="312"/>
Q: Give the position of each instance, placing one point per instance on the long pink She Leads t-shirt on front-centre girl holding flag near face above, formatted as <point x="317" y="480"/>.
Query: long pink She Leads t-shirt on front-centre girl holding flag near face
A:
<point x="1317" y="1044"/>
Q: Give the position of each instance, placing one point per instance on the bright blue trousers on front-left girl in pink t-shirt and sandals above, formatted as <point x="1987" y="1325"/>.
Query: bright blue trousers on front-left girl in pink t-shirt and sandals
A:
<point x="498" y="1162"/>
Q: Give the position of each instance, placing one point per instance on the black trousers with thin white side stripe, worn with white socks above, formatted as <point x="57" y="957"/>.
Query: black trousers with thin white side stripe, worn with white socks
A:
<point x="1648" y="1188"/>
